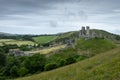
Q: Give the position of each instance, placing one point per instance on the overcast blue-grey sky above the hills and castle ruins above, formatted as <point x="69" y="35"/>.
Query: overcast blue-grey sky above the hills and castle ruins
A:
<point x="54" y="16"/>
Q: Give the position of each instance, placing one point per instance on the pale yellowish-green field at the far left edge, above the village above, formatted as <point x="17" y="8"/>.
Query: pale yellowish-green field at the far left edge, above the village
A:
<point x="18" y="42"/>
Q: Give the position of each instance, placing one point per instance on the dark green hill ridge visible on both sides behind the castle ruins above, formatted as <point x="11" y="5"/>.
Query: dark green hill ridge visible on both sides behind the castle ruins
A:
<point x="75" y="34"/>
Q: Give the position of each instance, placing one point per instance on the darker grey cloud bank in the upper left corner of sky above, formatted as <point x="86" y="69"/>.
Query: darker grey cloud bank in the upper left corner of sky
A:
<point x="21" y="7"/>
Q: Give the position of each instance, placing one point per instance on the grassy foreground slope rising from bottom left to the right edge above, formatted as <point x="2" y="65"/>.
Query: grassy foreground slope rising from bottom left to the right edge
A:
<point x="104" y="66"/>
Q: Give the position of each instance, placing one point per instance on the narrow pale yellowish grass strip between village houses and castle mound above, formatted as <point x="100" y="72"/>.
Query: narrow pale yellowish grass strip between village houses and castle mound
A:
<point x="47" y="50"/>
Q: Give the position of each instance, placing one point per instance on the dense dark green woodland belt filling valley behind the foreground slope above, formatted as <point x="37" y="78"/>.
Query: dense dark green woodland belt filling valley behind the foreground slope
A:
<point x="11" y="66"/>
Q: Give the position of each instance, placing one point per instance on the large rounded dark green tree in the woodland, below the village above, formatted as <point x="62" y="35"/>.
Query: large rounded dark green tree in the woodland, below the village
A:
<point x="35" y="63"/>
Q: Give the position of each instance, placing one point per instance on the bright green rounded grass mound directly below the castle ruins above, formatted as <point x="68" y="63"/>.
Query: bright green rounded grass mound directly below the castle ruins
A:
<point x="94" y="46"/>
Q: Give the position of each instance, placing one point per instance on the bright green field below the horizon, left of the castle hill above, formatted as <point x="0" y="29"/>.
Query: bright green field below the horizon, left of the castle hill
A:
<point x="44" y="39"/>
